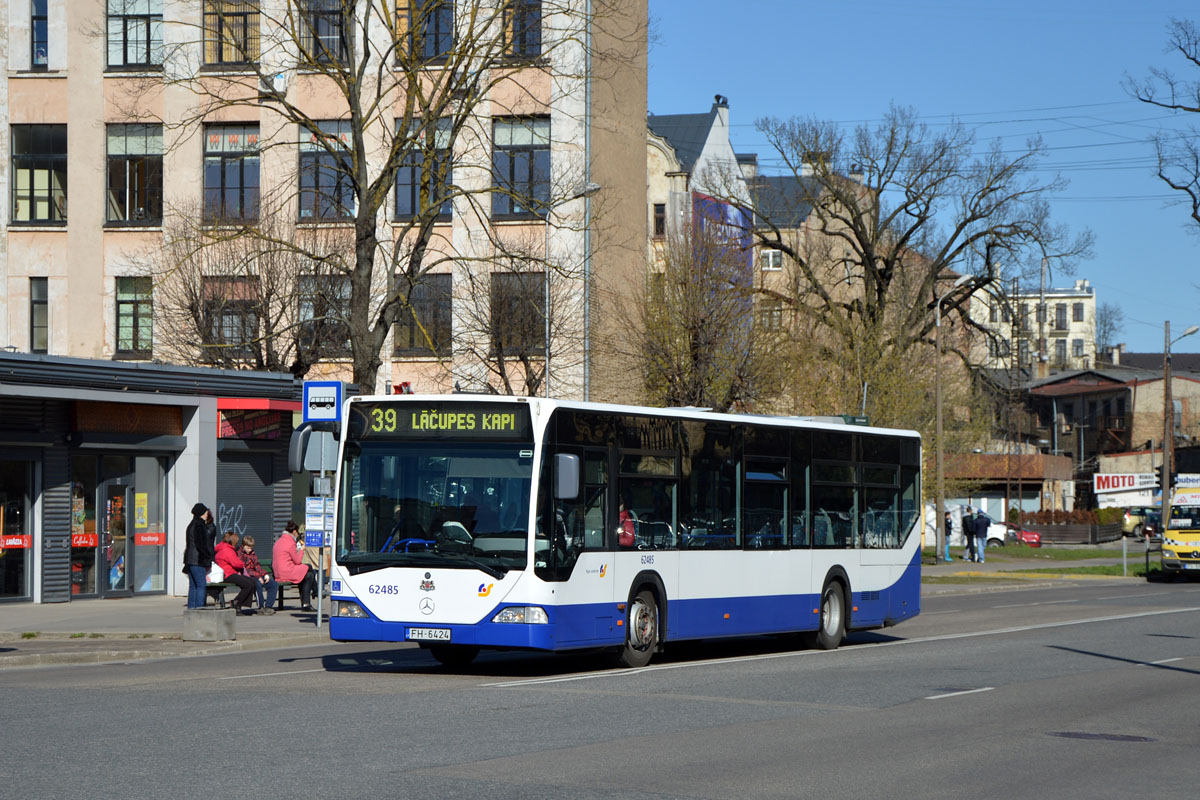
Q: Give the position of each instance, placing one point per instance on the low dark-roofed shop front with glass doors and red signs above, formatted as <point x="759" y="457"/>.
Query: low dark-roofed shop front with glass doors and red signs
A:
<point x="101" y="464"/>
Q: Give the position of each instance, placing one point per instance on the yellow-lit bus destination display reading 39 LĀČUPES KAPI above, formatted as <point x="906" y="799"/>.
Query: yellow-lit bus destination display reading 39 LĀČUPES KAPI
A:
<point x="441" y="422"/>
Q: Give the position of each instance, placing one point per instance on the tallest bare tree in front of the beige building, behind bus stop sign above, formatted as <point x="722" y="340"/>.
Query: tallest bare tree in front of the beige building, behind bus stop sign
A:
<point x="380" y="99"/>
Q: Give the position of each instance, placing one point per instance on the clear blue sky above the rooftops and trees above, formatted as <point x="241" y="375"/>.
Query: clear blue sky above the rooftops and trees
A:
<point x="1009" y="70"/>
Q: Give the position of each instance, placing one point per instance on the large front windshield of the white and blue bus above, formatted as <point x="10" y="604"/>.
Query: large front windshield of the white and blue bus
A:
<point x="435" y="504"/>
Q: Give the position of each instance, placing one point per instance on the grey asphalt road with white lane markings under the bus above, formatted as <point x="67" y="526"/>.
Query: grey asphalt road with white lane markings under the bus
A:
<point x="1085" y="691"/>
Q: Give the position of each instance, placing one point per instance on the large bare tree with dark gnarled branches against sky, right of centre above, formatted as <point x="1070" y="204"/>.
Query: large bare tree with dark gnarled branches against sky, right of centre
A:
<point x="889" y="213"/>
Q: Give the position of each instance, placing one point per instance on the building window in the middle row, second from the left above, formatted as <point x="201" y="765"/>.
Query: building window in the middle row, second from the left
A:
<point x="135" y="175"/>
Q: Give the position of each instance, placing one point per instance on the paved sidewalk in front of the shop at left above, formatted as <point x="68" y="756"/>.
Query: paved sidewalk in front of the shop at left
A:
<point x="98" y="631"/>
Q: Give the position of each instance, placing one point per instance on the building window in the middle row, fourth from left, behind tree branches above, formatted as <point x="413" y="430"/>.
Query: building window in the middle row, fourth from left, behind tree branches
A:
<point x="327" y="187"/>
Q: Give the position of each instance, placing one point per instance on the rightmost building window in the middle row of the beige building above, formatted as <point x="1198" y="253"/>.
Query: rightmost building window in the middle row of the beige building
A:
<point x="520" y="167"/>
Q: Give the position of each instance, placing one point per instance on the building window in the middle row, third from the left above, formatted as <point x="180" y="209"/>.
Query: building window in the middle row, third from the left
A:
<point x="231" y="172"/>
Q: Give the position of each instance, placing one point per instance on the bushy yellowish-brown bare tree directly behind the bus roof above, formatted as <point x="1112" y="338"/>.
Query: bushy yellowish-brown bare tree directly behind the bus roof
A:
<point x="698" y="335"/>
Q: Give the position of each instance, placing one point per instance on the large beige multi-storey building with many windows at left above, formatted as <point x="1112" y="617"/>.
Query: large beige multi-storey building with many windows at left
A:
<point x="128" y="134"/>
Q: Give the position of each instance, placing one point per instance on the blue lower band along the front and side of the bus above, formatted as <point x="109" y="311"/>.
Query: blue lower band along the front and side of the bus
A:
<point x="596" y="624"/>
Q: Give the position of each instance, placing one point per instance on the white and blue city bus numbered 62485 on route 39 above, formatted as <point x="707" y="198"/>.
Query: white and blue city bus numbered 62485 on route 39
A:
<point x="469" y="522"/>
